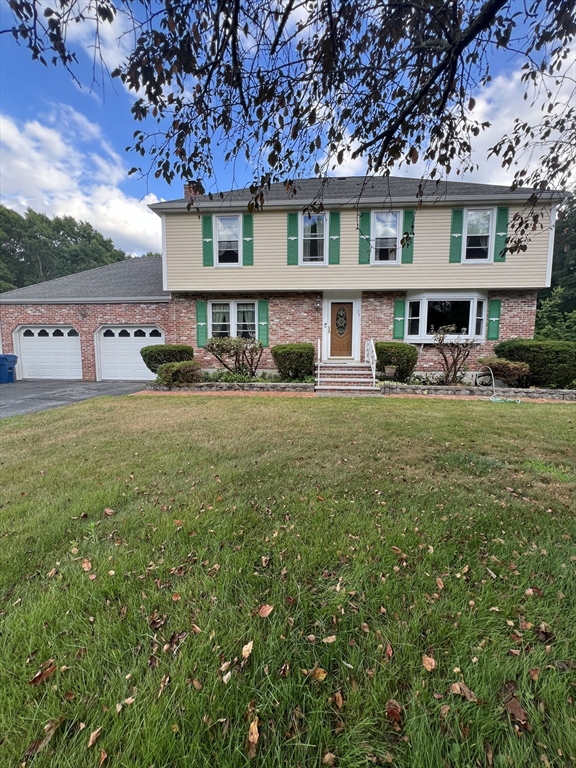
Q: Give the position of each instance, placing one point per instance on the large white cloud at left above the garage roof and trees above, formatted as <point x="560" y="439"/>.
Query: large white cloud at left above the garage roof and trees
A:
<point x="55" y="171"/>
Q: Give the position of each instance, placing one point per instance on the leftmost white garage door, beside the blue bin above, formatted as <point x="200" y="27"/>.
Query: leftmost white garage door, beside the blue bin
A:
<point x="49" y="352"/>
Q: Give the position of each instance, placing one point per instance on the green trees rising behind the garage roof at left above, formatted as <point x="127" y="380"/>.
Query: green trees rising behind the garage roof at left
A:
<point x="35" y="248"/>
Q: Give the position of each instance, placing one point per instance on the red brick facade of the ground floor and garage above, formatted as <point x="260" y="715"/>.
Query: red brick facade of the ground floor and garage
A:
<point x="292" y="317"/>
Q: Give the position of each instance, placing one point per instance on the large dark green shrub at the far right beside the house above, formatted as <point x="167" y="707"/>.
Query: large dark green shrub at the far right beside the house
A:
<point x="552" y="363"/>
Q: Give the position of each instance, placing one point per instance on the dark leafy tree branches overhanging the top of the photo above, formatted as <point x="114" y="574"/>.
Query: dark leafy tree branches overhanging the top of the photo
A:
<point x="296" y="85"/>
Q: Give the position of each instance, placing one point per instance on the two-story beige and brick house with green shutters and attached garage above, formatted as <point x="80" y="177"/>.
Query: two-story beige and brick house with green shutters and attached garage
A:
<point x="385" y="259"/>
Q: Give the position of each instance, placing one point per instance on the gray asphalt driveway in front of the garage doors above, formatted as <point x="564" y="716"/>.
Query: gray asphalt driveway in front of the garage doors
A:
<point x="28" y="396"/>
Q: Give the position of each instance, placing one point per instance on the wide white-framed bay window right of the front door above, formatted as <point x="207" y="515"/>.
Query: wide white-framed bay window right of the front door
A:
<point x="426" y="314"/>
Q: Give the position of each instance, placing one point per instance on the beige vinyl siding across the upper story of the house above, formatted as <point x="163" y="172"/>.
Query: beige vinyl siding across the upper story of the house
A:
<point x="430" y="268"/>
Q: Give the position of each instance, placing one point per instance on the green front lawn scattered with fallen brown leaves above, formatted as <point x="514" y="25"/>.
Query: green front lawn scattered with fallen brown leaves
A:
<point x="290" y="582"/>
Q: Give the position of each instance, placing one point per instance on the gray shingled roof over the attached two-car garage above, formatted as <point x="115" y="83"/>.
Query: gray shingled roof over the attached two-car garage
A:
<point x="138" y="279"/>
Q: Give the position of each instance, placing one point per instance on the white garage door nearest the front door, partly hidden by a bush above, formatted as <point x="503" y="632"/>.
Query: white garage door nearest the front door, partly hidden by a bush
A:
<point x="119" y="349"/>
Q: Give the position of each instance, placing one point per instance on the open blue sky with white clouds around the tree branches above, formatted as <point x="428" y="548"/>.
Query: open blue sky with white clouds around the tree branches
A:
<point x="63" y="146"/>
